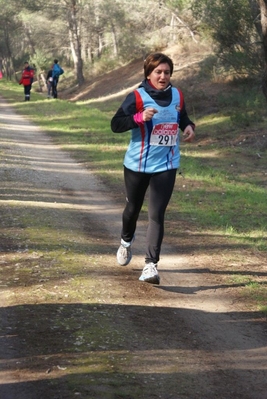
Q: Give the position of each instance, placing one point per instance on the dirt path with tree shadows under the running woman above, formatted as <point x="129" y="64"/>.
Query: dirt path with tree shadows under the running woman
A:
<point x="186" y="339"/>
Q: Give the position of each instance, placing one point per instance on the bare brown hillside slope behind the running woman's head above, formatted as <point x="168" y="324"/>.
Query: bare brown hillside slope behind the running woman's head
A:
<point x="120" y="81"/>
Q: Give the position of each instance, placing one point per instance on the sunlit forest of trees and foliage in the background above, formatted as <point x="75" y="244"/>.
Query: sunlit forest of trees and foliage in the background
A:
<point x="94" y="36"/>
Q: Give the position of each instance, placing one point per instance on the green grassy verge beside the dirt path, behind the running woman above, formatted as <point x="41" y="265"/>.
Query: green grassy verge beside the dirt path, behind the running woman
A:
<point x="222" y="189"/>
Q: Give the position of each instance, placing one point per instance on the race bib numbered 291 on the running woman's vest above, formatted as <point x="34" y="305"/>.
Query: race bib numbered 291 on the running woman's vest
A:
<point x="164" y="134"/>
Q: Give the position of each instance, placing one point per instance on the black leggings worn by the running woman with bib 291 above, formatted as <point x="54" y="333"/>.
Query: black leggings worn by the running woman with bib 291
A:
<point x="160" y="191"/>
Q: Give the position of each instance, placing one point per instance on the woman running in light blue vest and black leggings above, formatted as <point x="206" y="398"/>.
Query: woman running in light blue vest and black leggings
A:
<point x="155" y="113"/>
